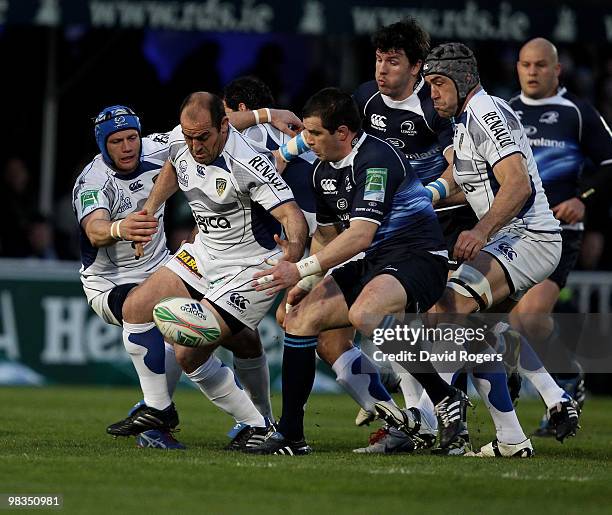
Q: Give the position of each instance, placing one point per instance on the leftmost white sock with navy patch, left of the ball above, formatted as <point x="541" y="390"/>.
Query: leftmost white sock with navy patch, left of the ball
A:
<point x="145" y="345"/>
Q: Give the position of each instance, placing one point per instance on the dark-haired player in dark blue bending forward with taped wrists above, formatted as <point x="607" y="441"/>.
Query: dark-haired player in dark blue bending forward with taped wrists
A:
<point x="368" y="199"/>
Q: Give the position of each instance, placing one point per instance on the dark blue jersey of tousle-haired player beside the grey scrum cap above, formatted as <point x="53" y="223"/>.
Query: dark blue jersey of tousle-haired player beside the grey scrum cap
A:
<point x="411" y="125"/>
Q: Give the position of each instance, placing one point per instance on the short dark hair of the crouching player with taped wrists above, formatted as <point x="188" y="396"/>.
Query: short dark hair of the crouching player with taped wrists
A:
<point x="335" y="107"/>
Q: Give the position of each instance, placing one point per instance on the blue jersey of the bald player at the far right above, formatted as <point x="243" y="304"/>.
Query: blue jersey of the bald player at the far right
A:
<point x="563" y="132"/>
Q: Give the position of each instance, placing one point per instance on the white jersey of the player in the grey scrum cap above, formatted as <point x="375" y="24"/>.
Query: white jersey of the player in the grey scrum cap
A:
<point x="485" y="133"/>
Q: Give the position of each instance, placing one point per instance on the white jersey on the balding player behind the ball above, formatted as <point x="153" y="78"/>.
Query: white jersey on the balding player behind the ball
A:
<point x="231" y="198"/>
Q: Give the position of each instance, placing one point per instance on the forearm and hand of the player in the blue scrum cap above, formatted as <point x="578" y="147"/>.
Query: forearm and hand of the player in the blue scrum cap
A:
<point x="103" y="232"/>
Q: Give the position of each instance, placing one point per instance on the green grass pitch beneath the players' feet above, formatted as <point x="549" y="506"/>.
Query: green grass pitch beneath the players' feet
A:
<point x="53" y="441"/>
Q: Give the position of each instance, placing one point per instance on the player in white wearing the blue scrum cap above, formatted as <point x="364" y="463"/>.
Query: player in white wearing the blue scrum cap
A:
<point x="108" y="200"/>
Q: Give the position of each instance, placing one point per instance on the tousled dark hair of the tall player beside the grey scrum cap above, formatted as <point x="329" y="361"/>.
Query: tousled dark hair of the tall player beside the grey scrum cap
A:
<point x="406" y="35"/>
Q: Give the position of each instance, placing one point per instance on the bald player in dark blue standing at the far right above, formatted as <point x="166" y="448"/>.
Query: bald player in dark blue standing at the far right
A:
<point x="563" y="132"/>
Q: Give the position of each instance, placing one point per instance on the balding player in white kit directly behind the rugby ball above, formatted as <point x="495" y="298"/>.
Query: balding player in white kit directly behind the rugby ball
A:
<point x="237" y="199"/>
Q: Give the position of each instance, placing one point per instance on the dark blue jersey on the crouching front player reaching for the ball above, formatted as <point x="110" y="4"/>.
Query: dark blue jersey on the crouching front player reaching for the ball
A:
<point x="376" y="183"/>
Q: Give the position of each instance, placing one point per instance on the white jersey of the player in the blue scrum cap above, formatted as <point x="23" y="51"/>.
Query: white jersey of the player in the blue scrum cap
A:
<point x="100" y="187"/>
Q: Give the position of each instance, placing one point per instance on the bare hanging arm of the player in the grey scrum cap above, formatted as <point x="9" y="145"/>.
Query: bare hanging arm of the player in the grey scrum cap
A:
<point x="515" y="188"/>
